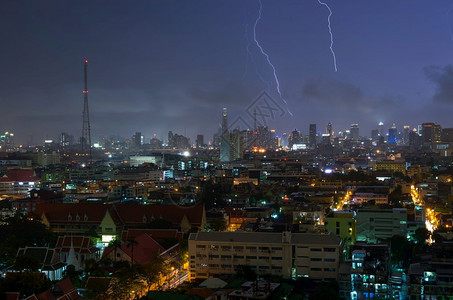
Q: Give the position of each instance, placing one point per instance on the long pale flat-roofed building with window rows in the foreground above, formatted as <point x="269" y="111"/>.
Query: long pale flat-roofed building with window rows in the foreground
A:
<point x="286" y="254"/>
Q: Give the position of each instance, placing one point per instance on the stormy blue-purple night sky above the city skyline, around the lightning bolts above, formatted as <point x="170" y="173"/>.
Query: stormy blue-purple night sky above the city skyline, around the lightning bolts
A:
<point x="156" y="66"/>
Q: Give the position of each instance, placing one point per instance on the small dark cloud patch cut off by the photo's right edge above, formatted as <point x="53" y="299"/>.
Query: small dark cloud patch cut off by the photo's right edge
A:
<point x="442" y="77"/>
